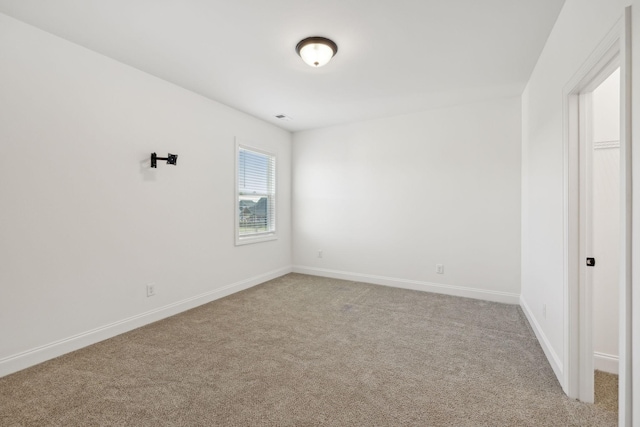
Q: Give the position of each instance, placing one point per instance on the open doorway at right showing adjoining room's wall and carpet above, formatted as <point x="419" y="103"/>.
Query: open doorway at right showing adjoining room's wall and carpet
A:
<point x="601" y="169"/>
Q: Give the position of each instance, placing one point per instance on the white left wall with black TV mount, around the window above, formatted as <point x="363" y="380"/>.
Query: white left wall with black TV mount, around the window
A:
<point x="85" y="224"/>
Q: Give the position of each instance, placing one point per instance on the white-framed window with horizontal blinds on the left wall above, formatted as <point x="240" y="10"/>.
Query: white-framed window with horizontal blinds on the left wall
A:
<point x="255" y="195"/>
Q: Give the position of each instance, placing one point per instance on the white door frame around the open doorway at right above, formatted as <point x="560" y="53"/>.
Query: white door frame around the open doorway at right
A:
<point x="578" y="354"/>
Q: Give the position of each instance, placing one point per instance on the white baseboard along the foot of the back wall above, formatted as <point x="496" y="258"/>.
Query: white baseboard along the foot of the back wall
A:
<point x="460" y="291"/>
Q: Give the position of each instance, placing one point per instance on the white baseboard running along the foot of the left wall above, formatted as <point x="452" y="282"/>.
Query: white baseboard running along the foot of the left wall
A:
<point x="17" y="362"/>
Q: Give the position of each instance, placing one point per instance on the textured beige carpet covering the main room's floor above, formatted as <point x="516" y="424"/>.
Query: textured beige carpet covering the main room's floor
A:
<point x="307" y="351"/>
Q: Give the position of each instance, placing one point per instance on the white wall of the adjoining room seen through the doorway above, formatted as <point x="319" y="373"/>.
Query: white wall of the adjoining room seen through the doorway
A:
<point x="606" y="222"/>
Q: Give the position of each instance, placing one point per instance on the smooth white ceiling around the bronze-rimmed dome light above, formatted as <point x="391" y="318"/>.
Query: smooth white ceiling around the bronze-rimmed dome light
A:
<point x="394" y="57"/>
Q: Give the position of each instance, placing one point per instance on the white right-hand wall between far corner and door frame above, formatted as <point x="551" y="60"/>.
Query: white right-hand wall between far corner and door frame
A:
<point x="582" y="24"/>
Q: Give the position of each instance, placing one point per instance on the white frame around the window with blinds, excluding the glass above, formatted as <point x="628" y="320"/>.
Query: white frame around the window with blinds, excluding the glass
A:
<point x="259" y="236"/>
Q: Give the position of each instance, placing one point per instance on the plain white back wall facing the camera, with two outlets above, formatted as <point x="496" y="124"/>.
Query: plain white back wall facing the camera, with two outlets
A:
<point x="388" y="199"/>
